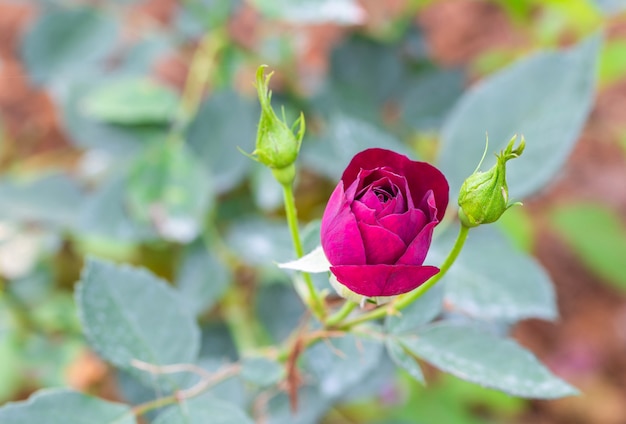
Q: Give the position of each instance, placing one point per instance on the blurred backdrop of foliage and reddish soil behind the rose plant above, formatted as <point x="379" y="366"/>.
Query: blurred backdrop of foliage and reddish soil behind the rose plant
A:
<point x="87" y="87"/>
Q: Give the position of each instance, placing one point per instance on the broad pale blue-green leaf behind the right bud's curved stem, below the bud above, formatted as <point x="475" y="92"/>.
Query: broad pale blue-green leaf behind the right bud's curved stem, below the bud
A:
<point x="491" y="280"/>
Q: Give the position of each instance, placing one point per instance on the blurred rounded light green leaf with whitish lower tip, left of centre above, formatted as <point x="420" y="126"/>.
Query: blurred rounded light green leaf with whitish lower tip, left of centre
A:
<point x="169" y="188"/>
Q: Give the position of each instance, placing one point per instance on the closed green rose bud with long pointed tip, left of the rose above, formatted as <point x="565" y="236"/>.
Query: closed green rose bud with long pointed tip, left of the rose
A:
<point x="277" y="145"/>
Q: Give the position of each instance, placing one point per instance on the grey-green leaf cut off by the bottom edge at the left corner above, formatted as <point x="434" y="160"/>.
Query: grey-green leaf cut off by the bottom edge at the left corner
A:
<point x="61" y="406"/>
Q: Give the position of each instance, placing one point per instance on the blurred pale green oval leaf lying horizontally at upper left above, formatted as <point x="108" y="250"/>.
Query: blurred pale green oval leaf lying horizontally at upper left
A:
<point x="131" y="101"/>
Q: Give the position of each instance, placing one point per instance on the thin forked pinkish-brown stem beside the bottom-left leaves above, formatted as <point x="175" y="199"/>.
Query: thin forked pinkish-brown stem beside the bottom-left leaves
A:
<point x="206" y="380"/>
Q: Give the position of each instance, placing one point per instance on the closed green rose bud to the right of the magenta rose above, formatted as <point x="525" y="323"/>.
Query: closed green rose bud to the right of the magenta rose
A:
<point x="484" y="196"/>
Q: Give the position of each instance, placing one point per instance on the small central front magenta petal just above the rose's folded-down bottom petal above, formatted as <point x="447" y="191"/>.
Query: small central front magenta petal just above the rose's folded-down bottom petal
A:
<point x="381" y="245"/>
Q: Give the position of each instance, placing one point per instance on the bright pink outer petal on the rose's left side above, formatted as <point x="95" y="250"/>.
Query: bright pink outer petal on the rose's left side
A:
<point x="340" y="236"/>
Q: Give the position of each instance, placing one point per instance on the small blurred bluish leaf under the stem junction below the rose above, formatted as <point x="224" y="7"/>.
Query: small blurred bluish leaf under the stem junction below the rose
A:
<point x="342" y="363"/>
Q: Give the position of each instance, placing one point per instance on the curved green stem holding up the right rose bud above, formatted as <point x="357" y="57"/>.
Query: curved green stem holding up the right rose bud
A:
<point x="405" y="300"/>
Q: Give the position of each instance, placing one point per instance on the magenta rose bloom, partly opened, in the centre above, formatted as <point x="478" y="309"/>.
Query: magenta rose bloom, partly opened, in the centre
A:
<point x="378" y="223"/>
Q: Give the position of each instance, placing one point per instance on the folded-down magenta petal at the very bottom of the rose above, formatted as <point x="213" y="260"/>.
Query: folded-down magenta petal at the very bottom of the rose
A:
<point x="382" y="280"/>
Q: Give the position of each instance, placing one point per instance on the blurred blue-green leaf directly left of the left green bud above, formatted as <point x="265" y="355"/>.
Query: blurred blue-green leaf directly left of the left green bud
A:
<point x="224" y="122"/>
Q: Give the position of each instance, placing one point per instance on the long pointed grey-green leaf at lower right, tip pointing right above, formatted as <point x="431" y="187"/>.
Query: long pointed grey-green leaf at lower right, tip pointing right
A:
<point x="472" y="354"/>
